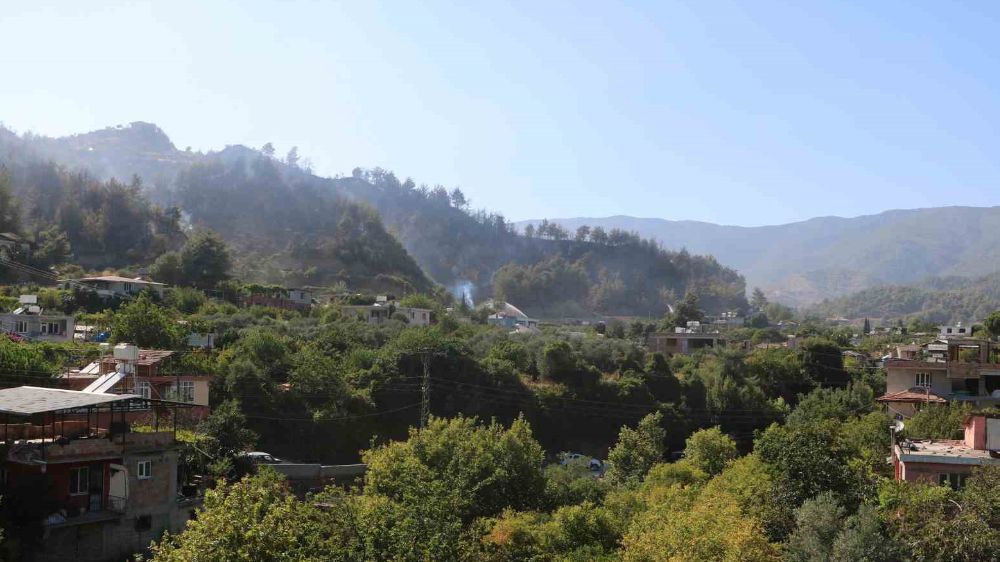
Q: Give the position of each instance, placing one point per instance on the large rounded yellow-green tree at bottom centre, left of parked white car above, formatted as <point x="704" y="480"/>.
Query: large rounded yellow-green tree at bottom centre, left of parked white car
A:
<point x="483" y="469"/>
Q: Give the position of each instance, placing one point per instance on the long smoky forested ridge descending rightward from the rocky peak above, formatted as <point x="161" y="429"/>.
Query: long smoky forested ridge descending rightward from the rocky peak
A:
<point x="289" y="218"/>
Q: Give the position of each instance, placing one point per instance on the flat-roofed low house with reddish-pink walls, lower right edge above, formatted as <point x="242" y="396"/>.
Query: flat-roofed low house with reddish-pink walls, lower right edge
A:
<point x="949" y="462"/>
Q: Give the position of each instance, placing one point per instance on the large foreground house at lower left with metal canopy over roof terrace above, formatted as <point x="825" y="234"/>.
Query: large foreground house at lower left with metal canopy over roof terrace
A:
<point x="98" y="490"/>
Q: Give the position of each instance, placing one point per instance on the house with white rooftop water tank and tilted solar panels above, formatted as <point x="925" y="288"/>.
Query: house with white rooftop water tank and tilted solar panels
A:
<point x="130" y="370"/>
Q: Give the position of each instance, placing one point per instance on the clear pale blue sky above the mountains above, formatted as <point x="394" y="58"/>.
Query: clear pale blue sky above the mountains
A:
<point x="740" y="113"/>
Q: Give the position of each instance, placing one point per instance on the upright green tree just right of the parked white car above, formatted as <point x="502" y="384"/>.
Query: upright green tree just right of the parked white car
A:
<point x="637" y="450"/>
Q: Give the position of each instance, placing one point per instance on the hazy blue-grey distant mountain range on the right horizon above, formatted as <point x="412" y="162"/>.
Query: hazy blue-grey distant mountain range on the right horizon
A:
<point x="806" y="262"/>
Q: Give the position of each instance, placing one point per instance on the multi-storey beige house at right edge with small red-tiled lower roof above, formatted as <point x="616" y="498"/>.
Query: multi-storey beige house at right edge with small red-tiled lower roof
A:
<point x="962" y="369"/>
